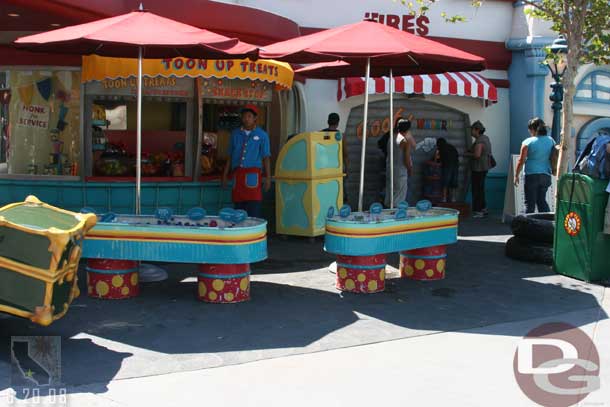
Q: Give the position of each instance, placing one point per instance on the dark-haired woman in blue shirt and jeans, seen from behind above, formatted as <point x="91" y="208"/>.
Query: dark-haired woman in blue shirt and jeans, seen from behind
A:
<point x="536" y="155"/>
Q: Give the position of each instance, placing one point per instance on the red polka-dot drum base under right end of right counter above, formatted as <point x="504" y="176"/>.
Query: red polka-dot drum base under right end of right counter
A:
<point x="424" y="264"/>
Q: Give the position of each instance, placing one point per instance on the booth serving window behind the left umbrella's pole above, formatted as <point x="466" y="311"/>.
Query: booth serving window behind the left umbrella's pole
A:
<point x="167" y="123"/>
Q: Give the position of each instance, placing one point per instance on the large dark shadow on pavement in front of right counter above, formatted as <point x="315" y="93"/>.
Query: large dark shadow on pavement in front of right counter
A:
<point x="475" y="294"/>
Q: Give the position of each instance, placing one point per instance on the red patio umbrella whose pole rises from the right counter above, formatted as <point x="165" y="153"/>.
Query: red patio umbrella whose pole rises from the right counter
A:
<point x="365" y="44"/>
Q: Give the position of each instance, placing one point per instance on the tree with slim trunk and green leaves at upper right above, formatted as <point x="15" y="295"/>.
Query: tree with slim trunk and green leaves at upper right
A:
<point x="585" y="24"/>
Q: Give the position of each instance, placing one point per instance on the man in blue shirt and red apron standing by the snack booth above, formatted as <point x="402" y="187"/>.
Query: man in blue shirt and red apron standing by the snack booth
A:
<point x="249" y="151"/>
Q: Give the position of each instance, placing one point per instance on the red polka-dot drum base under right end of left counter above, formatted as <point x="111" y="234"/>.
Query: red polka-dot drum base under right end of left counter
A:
<point x="223" y="283"/>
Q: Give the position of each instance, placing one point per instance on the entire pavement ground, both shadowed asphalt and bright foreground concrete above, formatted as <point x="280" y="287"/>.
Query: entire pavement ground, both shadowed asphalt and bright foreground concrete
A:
<point x="300" y="341"/>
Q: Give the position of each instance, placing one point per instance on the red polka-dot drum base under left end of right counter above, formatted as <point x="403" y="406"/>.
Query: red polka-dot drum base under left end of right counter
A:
<point x="361" y="274"/>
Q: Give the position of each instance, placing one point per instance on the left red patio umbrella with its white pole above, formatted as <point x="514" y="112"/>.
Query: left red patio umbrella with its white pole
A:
<point x="139" y="34"/>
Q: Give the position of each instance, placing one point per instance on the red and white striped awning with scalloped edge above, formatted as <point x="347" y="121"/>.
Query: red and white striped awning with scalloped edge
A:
<point x="449" y="83"/>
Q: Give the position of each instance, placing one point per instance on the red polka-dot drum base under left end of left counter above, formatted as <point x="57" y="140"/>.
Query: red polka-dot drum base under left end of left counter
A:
<point x="112" y="279"/>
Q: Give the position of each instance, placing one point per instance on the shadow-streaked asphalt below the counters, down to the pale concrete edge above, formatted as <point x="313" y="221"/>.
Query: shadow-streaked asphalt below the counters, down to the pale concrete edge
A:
<point x="295" y="309"/>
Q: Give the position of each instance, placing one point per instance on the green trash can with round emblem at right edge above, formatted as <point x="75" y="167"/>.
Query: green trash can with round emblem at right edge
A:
<point x="581" y="248"/>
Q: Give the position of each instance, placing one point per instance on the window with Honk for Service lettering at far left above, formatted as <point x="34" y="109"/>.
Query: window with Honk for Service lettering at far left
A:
<point x="43" y="122"/>
